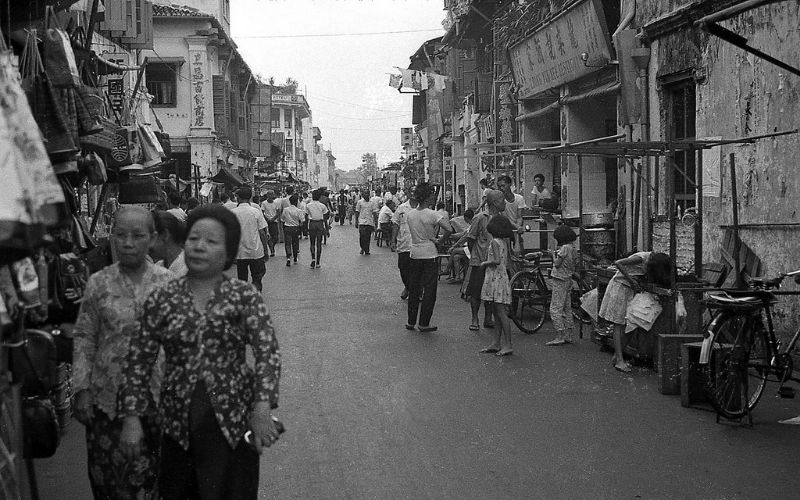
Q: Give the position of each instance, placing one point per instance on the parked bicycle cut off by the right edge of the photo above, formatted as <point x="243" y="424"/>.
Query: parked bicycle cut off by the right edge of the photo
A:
<point x="740" y="354"/>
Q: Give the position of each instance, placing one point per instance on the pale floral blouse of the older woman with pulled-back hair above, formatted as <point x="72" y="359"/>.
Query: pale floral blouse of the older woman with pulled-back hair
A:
<point x="109" y="317"/>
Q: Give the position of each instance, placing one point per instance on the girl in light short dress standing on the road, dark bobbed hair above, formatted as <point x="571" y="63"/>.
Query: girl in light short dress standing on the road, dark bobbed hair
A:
<point x="496" y="291"/>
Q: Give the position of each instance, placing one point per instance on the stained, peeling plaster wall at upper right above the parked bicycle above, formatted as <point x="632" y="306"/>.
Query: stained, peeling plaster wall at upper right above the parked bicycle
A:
<point x="746" y="96"/>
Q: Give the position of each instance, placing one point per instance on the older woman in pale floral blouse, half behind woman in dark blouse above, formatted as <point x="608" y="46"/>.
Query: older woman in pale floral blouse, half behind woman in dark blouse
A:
<point x="107" y="324"/>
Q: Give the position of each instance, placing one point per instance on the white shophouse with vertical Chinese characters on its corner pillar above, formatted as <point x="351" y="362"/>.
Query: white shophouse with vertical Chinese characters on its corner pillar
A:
<point x="204" y="93"/>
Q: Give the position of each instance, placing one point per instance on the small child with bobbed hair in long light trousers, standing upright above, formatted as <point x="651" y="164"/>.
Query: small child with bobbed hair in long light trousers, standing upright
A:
<point x="564" y="261"/>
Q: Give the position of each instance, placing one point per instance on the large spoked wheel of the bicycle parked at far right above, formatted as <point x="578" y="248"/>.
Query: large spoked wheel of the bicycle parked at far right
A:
<point x="737" y="372"/>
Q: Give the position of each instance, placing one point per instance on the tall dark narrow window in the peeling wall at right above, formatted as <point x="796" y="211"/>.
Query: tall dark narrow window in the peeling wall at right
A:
<point x="682" y="116"/>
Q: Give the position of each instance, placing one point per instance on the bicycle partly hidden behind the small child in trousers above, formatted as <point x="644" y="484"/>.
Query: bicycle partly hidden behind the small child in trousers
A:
<point x="531" y="296"/>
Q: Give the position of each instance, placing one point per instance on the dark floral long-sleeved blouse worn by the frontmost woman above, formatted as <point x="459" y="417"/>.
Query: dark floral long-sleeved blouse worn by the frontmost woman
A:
<point x="208" y="346"/>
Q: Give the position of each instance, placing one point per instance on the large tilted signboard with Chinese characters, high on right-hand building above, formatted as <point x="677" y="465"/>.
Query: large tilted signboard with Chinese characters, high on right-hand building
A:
<point x="552" y="55"/>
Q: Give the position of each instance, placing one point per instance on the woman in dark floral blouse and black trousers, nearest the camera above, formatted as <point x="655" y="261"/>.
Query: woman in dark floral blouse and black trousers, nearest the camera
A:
<point x="210" y="397"/>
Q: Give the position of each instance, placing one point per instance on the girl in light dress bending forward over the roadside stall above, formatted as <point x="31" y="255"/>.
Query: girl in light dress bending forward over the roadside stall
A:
<point x="653" y="267"/>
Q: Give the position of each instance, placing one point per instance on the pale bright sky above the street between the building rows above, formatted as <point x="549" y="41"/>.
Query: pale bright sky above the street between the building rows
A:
<point x="344" y="77"/>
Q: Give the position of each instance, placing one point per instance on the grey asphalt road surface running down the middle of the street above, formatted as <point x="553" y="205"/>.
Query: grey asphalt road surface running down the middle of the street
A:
<point x="375" y="411"/>
